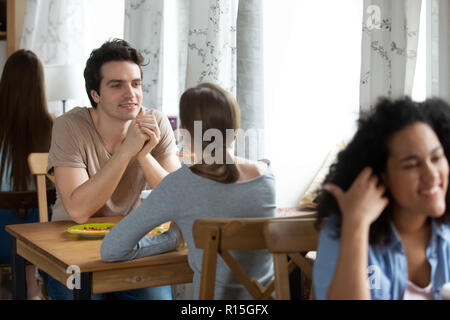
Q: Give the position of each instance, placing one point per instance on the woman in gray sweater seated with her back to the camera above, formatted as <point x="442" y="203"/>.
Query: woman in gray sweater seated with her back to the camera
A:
<point x="218" y="185"/>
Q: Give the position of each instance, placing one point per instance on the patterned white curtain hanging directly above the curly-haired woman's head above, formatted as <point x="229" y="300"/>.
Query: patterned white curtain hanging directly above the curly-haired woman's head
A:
<point x="389" y="49"/>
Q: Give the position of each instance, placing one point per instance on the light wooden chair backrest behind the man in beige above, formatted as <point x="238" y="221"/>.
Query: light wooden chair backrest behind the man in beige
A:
<point x="38" y="167"/>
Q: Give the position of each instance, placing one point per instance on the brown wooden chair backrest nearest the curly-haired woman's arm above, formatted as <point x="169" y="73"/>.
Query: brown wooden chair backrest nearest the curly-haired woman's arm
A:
<point x="292" y="238"/>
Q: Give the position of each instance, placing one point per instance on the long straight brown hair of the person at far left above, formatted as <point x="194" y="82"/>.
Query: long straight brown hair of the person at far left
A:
<point x="25" y="123"/>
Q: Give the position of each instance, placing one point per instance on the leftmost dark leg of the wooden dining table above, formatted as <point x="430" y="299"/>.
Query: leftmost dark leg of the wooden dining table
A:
<point x="19" y="283"/>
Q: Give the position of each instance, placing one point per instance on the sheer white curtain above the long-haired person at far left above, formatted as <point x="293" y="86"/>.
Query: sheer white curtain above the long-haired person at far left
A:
<point x="52" y="29"/>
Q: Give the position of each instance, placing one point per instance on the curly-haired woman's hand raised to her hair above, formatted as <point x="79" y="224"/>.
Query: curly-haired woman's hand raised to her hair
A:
<point x="363" y="202"/>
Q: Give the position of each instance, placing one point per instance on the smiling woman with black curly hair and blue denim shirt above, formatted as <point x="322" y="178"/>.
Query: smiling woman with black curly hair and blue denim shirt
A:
<point x="387" y="235"/>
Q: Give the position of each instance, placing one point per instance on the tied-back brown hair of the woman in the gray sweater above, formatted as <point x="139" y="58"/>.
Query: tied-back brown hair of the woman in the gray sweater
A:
<point x="216" y="109"/>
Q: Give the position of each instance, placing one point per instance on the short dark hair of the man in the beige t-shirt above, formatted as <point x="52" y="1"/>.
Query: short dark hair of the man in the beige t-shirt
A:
<point x="114" y="50"/>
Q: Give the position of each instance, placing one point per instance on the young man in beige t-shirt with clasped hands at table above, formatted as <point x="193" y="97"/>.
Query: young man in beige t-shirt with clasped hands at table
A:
<point x="102" y="157"/>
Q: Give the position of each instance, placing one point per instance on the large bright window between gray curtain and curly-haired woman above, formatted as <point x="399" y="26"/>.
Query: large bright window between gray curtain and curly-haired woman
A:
<point x="312" y="73"/>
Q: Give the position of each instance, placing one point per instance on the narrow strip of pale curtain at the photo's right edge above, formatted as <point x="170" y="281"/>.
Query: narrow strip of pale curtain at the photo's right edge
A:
<point x="438" y="79"/>
